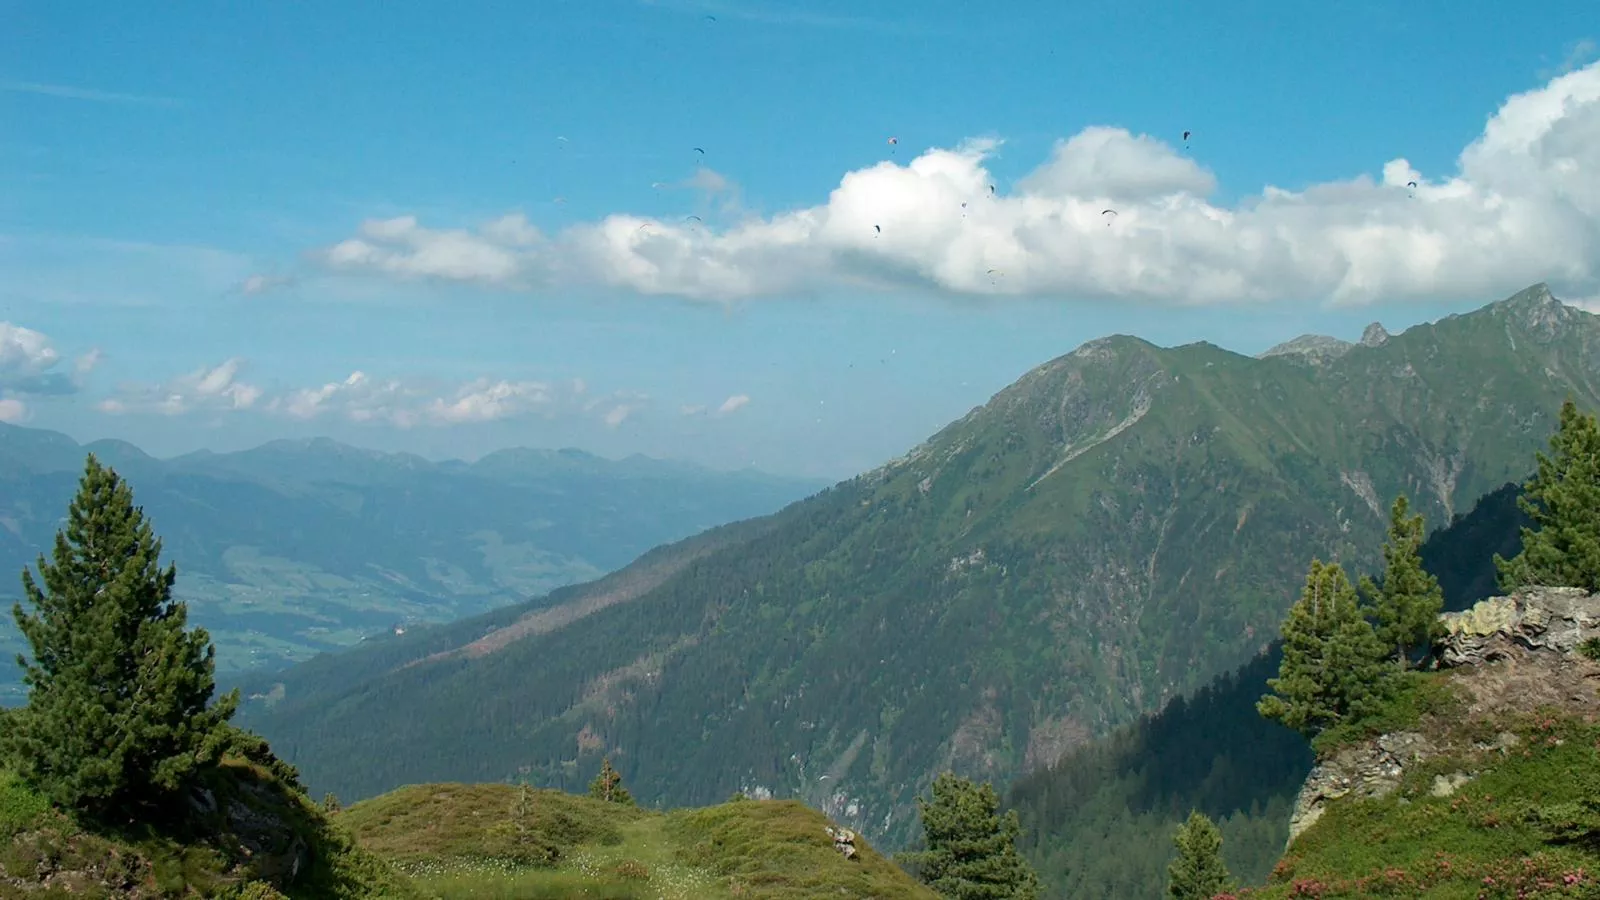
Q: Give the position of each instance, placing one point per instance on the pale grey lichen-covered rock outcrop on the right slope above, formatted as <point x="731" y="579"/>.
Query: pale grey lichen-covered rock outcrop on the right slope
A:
<point x="1505" y="656"/>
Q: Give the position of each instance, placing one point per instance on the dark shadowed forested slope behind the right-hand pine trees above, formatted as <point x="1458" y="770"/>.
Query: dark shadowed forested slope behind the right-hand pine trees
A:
<point x="1098" y="824"/>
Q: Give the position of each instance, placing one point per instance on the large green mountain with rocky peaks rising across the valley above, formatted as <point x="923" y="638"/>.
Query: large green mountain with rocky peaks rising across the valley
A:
<point x="1121" y="526"/>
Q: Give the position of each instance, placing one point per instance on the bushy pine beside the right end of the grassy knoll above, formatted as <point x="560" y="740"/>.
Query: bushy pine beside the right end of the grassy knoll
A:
<point x="972" y="850"/>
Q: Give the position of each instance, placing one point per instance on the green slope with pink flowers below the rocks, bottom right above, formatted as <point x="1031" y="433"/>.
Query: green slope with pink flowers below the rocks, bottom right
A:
<point x="1511" y="832"/>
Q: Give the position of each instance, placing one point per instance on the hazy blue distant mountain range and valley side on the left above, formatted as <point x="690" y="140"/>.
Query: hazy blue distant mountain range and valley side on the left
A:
<point x="300" y="547"/>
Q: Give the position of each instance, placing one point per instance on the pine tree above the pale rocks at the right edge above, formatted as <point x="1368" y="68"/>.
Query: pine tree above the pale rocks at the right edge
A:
<point x="1564" y="502"/>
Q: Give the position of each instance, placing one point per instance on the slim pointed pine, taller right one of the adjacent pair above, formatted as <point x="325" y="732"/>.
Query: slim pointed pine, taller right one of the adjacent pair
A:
<point x="1407" y="600"/>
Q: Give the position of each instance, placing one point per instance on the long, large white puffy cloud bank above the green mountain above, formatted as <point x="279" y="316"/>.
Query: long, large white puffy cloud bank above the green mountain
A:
<point x="1522" y="206"/>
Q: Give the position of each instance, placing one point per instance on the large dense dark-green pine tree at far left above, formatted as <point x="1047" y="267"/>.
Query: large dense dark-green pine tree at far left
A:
<point x="119" y="710"/>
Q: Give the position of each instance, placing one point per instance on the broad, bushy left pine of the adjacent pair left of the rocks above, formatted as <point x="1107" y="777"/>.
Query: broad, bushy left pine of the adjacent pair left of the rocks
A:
<point x="1334" y="665"/>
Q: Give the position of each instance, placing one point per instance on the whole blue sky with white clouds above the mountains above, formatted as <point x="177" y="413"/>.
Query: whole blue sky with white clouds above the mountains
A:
<point x="798" y="236"/>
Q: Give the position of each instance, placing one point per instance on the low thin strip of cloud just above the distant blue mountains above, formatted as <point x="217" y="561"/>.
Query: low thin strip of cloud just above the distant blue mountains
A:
<point x="362" y="398"/>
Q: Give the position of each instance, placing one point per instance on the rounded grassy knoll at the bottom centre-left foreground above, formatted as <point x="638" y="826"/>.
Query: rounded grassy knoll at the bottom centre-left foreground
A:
<point x="502" y="842"/>
